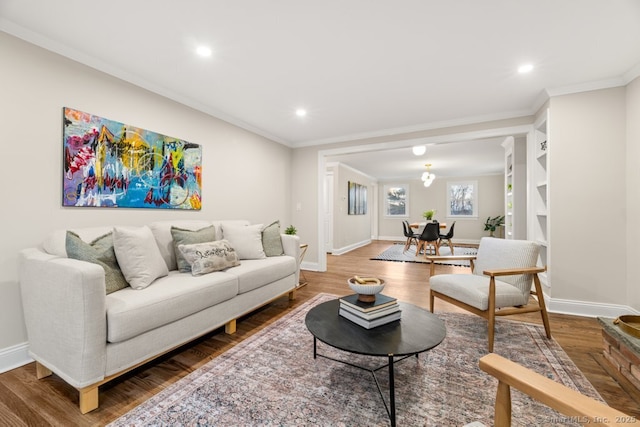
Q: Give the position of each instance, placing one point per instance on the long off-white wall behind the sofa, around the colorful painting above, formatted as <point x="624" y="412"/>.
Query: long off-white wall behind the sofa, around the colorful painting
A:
<point x="244" y="175"/>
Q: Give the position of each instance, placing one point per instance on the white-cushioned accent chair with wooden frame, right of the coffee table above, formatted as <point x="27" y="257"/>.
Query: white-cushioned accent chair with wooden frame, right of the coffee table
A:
<point x="499" y="284"/>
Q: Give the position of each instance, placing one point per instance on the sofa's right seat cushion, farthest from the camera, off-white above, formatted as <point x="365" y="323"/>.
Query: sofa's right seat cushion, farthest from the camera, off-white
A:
<point x="253" y="274"/>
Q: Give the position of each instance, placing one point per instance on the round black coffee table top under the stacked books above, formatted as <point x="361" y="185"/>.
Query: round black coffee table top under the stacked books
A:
<point x="418" y="330"/>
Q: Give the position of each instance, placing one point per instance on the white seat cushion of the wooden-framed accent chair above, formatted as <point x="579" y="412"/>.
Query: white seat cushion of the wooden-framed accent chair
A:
<point x="474" y="290"/>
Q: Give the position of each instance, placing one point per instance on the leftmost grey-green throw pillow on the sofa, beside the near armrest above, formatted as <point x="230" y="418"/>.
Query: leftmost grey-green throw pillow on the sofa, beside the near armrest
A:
<point x="99" y="251"/>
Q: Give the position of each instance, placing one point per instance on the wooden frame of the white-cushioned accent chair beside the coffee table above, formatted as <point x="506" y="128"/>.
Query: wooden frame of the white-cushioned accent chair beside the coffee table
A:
<point x="491" y="312"/>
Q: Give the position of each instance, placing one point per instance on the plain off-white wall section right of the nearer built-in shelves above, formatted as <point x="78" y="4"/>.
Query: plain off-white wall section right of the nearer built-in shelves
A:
<point x="588" y="235"/>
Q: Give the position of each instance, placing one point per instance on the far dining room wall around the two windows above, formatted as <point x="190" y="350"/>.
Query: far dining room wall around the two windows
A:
<point x="490" y="203"/>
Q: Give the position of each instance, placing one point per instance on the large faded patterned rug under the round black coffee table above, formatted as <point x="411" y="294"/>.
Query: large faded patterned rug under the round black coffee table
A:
<point x="271" y="379"/>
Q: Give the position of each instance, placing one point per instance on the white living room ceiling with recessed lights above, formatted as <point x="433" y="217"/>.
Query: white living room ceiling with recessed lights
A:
<point x="360" y="67"/>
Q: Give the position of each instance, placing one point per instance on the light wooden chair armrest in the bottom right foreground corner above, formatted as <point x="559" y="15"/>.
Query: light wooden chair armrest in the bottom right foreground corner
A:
<point x="579" y="407"/>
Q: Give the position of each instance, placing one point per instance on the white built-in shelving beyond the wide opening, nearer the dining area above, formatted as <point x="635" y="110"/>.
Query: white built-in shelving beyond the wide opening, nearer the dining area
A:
<point x="515" y="200"/>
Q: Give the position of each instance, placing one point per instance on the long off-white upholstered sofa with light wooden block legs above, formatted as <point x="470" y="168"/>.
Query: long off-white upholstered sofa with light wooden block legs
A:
<point x="87" y="337"/>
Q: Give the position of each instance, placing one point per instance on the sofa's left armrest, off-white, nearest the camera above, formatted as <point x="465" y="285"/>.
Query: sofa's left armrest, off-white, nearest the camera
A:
<point x="64" y="306"/>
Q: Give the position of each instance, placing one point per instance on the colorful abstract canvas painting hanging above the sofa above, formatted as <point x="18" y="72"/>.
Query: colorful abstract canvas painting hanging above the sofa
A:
<point x="110" y="164"/>
